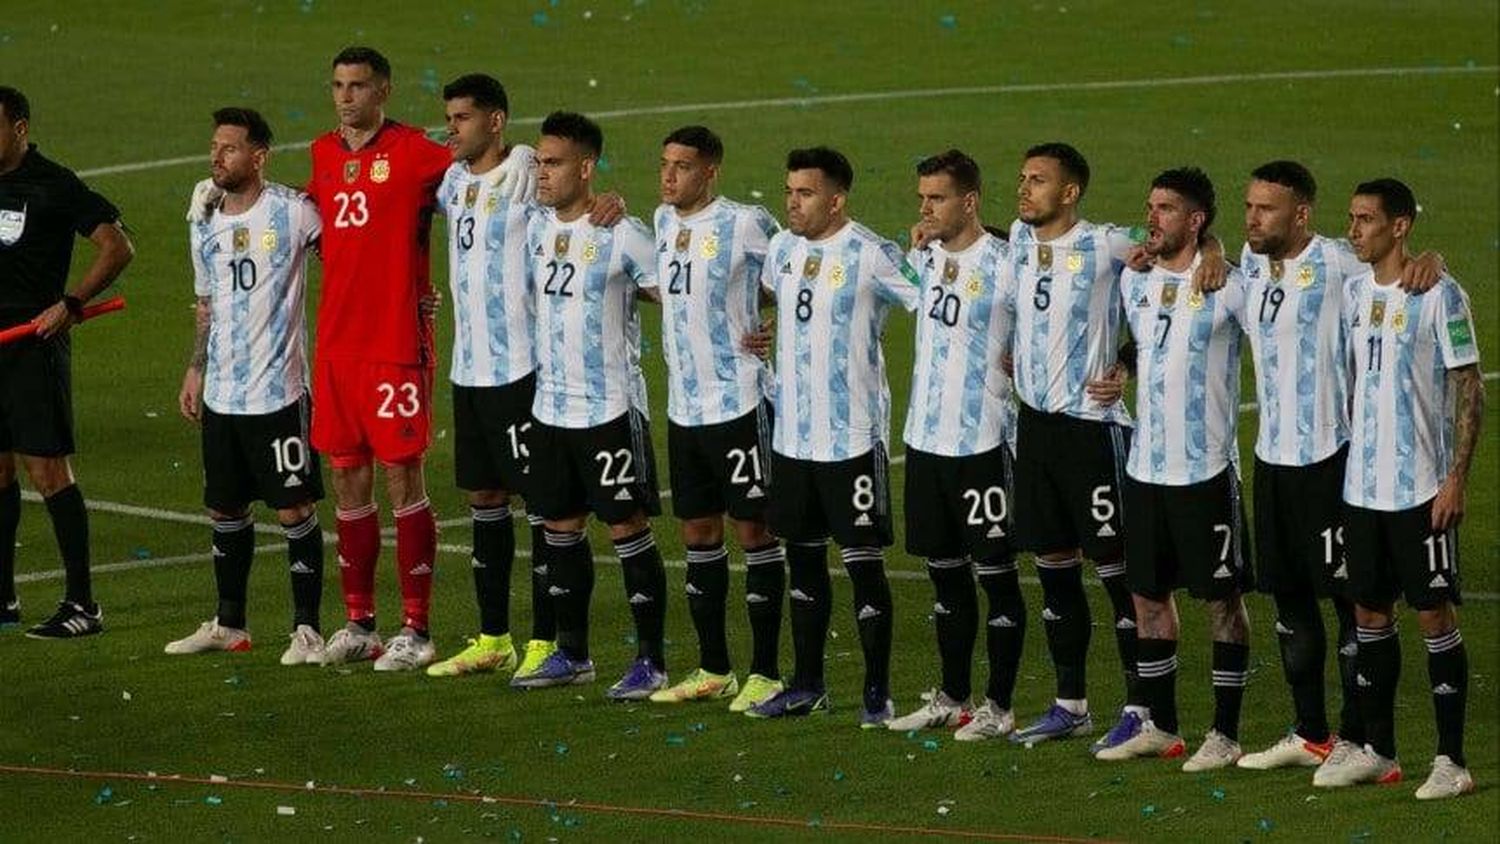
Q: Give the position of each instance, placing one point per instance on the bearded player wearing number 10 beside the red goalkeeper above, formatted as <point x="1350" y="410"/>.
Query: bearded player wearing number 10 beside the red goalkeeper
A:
<point x="247" y="383"/>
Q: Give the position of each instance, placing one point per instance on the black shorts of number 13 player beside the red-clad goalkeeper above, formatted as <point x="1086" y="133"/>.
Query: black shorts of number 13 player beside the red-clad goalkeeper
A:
<point x="491" y="429"/>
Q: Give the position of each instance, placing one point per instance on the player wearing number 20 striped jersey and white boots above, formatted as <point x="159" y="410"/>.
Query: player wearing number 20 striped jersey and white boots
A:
<point x="959" y="432"/>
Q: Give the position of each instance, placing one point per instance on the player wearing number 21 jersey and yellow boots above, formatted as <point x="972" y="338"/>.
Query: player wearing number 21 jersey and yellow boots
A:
<point x="710" y="253"/>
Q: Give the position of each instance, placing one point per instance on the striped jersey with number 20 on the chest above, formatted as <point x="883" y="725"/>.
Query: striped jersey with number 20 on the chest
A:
<point x="961" y="401"/>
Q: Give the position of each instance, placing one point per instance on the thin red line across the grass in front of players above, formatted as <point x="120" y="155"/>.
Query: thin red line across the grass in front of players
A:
<point x="536" y="803"/>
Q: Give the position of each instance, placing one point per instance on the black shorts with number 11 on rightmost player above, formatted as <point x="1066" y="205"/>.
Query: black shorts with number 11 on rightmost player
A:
<point x="1394" y="555"/>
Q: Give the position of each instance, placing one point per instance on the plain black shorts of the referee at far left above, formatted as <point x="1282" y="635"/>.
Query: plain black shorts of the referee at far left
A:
<point x="37" y="398"/>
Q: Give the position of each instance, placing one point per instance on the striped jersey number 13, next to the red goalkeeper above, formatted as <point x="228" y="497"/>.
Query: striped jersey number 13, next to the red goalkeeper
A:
<point x="493" y="310"/>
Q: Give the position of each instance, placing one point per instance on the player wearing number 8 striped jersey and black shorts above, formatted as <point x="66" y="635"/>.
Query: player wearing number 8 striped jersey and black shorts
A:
<point x="835" y="283"/>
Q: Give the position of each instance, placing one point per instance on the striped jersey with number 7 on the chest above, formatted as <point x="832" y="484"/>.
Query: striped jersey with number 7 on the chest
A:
<point x="1187" y="376"/>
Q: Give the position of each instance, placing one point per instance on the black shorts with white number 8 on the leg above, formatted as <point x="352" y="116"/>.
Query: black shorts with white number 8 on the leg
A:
<point x="845" y="500"/>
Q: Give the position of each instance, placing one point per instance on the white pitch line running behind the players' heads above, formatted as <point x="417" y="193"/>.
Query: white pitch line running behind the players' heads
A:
<point x="908" y="94"/>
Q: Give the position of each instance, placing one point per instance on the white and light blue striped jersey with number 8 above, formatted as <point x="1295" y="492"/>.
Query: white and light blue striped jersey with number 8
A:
<point x="833" y="296"/>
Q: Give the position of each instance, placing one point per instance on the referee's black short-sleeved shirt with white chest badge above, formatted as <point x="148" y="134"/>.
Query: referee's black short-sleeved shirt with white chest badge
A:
<point x="43" y="209"/>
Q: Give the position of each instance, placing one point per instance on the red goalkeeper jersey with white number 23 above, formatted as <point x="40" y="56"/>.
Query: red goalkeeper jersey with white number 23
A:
<point x="377" y="209"/>
